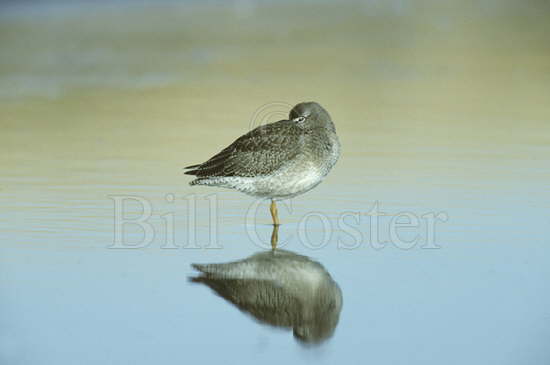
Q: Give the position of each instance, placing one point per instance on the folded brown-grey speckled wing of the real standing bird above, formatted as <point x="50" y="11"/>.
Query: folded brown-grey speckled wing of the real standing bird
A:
<point x="259" y="152"/>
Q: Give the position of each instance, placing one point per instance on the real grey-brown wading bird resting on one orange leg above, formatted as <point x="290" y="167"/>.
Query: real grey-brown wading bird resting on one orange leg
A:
<point x="276" y="161"/>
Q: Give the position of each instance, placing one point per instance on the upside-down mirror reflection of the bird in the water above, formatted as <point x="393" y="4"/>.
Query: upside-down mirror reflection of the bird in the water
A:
<point x="279" y="288"/>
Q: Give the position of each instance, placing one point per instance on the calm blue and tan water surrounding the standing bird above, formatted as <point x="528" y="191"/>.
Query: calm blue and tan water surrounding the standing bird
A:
<point x="443" y="114"/>
